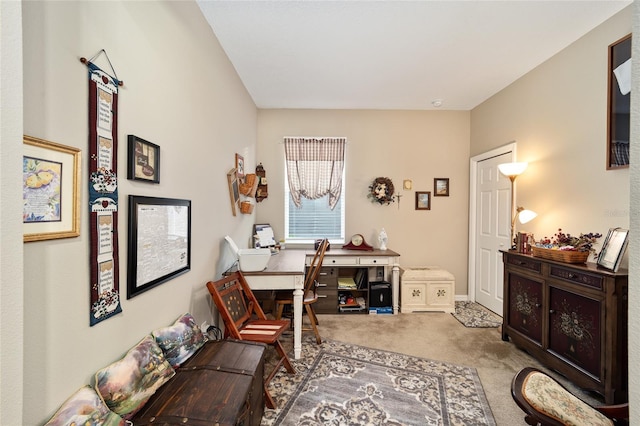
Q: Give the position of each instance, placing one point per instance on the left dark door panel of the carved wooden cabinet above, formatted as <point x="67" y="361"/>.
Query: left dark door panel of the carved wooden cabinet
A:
<point x="525" y="306"/>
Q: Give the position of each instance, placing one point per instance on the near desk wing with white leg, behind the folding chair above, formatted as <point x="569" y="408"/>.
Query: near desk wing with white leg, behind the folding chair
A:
<point x="285" y="271"/>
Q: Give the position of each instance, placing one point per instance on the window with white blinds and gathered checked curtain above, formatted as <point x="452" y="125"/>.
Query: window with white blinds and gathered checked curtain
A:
<point x="314" y="201"/>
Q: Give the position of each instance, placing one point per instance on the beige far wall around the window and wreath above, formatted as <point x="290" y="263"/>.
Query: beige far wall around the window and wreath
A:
<point x="416" y="145"/>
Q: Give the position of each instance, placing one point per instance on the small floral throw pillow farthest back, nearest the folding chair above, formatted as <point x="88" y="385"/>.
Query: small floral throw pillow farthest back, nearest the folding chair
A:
<point x="180" y="340"/>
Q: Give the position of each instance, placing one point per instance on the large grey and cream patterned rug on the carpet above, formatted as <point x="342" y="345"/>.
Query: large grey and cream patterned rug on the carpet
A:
<point x="343" y="384"/>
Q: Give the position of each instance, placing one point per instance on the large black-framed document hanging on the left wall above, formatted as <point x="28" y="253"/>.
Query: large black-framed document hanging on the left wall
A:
<point x="159" y="242"/>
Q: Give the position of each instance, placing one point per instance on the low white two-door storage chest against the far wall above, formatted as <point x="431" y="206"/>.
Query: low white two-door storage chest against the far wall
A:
<point x="427" y="289"/>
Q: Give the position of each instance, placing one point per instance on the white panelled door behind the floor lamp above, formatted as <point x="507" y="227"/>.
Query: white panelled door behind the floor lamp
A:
<point x="493" y="229"/>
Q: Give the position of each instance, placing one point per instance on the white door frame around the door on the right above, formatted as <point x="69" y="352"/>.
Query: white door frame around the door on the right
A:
<point x="473" y="185"/>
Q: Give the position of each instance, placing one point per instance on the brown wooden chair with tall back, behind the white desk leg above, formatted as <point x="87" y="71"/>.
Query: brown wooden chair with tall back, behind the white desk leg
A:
<point x="310" y="297"/>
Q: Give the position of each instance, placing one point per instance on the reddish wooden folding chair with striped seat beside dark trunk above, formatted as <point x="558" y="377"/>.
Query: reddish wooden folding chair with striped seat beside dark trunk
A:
<point x="244" y="320"/>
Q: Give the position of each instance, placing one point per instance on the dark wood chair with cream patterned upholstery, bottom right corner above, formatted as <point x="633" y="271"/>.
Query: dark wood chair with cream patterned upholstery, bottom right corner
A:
<point x="547" y="402"/>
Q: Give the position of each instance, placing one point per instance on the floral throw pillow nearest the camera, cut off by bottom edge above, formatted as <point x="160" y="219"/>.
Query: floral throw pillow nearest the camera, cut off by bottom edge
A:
<point x="85" y="407"/>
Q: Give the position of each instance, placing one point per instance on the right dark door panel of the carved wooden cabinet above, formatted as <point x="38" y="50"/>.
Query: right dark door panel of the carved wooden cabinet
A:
<point x="575" y="329"/>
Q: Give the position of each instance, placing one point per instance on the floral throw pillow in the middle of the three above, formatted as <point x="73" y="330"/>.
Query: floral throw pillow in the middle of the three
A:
<point x="127" y="384"/>
